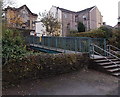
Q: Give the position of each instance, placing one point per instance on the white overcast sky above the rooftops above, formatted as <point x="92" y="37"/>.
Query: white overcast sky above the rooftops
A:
<point x="108" y="8"/>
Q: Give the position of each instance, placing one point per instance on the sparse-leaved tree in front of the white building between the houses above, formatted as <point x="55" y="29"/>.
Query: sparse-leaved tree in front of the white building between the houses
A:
<point x="51" y="23"/>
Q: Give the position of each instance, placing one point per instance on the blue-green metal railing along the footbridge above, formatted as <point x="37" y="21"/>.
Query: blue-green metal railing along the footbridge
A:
<point x="78" y="44"/>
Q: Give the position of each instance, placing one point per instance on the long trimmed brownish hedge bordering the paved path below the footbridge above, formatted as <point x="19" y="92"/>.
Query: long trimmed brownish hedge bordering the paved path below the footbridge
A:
<point x="42" y="65"/>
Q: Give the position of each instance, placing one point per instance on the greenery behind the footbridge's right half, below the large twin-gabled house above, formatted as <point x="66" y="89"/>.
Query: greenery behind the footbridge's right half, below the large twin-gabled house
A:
<point x="112" y="35"/>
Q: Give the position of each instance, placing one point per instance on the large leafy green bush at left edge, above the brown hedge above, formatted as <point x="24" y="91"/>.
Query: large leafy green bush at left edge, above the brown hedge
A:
<point x="13" y="45"/>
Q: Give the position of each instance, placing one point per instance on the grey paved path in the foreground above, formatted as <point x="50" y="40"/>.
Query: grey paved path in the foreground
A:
<point x="77" y="83"/>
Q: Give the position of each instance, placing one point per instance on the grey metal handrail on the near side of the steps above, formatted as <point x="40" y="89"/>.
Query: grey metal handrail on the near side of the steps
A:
<point x="106" y="52"/>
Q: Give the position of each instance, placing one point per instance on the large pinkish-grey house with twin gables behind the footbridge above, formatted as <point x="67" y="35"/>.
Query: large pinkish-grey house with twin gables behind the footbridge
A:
<point x="90" y="17"/>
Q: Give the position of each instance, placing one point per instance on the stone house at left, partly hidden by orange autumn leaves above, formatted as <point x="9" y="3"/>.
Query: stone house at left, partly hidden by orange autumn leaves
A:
<point x="21" y="18"/>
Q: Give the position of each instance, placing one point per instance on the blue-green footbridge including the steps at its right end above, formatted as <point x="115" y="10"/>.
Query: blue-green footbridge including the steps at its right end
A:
<point x="104" y="56"/>
